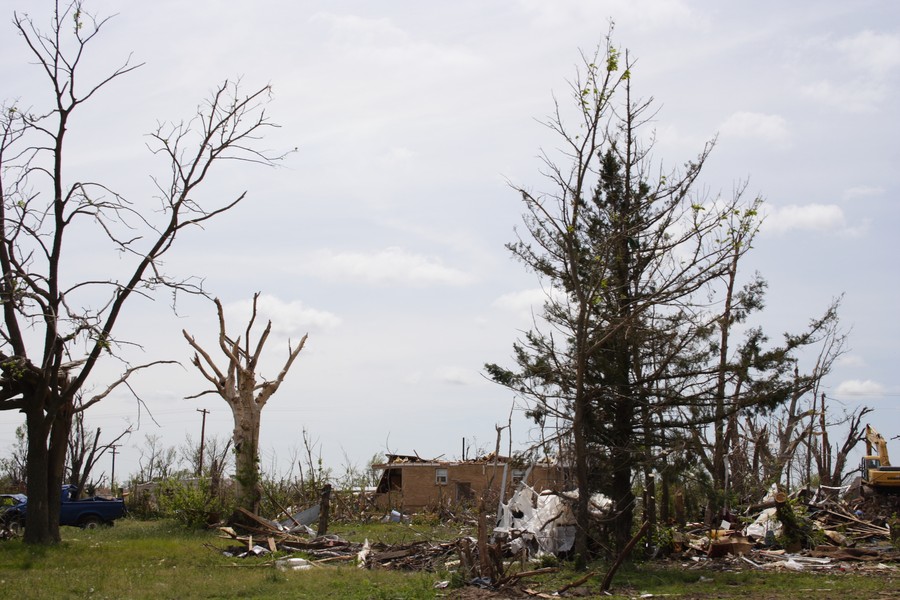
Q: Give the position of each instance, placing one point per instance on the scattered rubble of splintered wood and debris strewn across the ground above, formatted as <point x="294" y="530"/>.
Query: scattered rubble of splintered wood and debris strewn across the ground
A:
<point x="834" y="536"/>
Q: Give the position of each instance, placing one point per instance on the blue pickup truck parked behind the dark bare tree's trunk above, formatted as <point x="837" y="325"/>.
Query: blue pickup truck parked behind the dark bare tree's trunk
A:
<point x="87" y="513"/>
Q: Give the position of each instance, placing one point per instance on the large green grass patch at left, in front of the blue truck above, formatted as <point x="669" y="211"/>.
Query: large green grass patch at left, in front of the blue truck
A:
<point x="158" y="559"/>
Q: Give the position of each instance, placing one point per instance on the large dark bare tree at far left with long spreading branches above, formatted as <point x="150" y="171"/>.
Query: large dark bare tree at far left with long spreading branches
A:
<point x="56" y="328"/>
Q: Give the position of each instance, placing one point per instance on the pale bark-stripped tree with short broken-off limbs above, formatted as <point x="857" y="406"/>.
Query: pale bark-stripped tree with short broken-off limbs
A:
<point x="237" y="385"/>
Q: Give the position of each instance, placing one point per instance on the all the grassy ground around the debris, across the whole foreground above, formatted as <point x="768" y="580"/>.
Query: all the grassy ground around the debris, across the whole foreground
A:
<point x="158" y="559"/>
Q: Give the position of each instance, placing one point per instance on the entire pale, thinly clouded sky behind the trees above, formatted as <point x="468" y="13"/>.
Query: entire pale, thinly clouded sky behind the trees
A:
<point x="382" y="236"/>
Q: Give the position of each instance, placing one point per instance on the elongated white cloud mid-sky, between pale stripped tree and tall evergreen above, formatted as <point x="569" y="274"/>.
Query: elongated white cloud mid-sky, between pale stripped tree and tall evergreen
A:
<point x="391" y="266"/>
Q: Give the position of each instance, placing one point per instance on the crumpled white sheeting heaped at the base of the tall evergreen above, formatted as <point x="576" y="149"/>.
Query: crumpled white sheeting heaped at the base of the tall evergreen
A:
<point x="543" y="523"/>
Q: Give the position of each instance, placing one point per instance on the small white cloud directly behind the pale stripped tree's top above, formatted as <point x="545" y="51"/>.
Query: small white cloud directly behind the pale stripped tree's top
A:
<point x="289" y="319"/>
